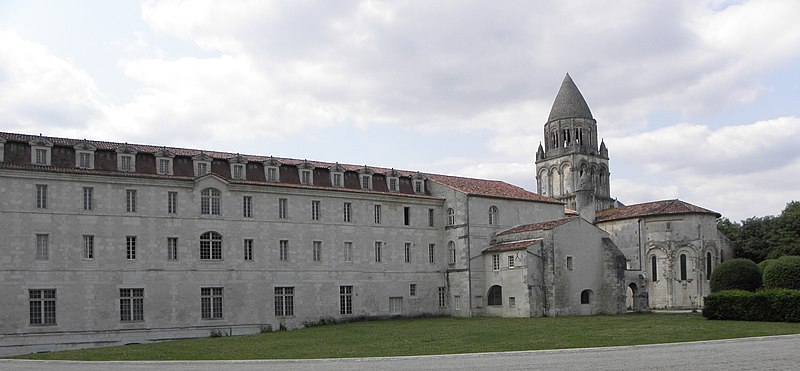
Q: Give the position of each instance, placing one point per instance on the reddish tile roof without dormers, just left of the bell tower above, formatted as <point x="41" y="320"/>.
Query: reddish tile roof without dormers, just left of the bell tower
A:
<point x="490" y="188"/>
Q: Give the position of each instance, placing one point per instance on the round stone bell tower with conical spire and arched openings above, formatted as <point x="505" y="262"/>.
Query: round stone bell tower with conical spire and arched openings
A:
<point x="571" y="151"/>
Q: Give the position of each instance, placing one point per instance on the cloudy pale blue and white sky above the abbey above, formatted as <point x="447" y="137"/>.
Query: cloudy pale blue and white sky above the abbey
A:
<point x="696" y="100"/>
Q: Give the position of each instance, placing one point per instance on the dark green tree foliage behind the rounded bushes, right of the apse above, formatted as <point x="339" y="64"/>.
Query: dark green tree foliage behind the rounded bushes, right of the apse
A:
<point x="768" y="237"/>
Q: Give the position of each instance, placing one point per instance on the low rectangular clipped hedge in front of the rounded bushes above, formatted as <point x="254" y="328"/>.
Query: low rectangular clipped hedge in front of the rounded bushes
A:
<point x="772" y="305"/>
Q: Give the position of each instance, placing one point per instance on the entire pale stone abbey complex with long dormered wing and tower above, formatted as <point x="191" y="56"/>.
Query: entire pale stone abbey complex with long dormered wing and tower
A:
<point x="111" y="243"/>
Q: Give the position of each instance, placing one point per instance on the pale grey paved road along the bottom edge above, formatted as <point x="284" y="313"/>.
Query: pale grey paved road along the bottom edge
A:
<point x="764" y="353"/>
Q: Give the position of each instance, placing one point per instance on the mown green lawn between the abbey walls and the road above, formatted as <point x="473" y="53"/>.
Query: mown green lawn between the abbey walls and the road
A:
<point x="440" y="336"/>
